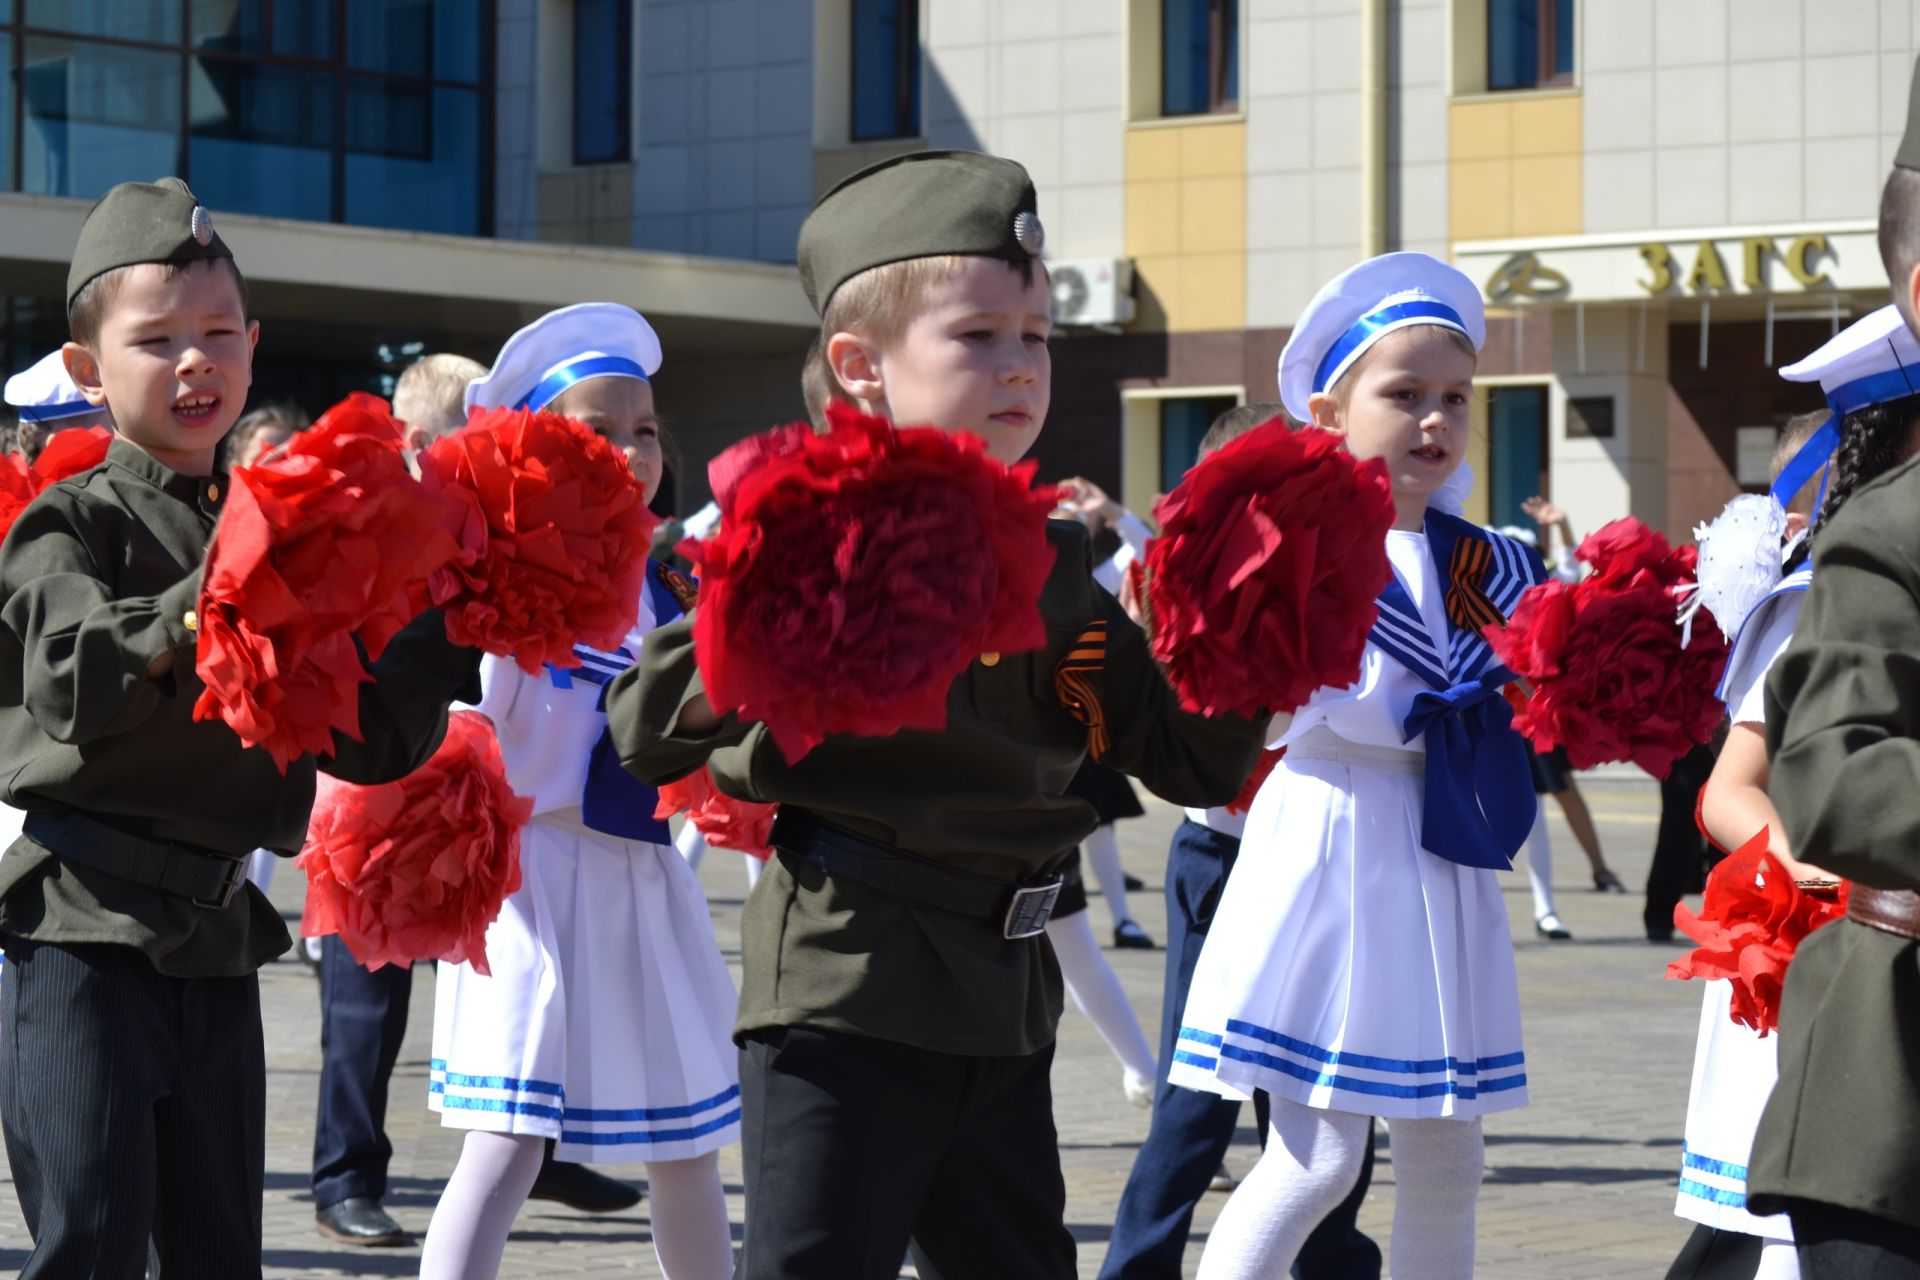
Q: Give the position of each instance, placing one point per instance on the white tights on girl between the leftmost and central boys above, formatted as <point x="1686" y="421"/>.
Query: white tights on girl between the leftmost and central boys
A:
<point x="692" y="1239"/>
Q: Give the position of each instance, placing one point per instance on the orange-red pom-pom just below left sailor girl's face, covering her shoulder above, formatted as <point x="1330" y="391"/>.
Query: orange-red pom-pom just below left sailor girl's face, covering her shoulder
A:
<point x="562" y="529"/>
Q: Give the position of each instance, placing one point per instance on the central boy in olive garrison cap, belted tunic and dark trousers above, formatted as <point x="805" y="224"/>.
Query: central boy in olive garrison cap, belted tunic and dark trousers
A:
<point x="900" y="999"/>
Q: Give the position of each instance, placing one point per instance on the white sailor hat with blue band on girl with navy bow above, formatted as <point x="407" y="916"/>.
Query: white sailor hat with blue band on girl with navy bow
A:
<point x="1362" y="306"/>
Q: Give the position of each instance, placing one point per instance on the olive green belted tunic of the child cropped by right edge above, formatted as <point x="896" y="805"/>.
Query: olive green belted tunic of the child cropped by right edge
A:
<point x="1844" y="736"/>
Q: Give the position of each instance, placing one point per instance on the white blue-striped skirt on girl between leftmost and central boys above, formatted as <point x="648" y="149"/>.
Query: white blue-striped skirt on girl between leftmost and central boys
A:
<point x="610" y="1014"/>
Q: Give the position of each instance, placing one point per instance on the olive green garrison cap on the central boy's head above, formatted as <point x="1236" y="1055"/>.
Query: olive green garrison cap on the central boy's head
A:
<point x="923" y="204"/>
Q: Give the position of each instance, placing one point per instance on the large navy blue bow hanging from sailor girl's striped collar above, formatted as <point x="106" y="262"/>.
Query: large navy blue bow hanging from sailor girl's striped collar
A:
<point x="1479" y="801"/>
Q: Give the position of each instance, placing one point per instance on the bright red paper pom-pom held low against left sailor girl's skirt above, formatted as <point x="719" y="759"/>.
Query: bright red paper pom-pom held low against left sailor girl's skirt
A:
<point x="420" y="868"/>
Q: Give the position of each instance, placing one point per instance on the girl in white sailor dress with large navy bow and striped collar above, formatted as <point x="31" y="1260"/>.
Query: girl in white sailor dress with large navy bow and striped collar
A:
<point x="1360" y="962"/>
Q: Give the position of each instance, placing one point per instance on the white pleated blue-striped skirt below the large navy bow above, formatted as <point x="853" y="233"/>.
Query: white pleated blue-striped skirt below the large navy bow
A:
<point x="1349" y="968"/>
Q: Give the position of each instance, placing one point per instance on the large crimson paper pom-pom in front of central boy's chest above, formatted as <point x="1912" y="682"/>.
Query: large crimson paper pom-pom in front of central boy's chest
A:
<point x="859" y="573"/>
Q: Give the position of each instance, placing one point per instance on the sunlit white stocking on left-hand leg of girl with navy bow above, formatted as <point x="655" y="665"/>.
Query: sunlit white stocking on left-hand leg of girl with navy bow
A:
<point x="1308" y="1168"/>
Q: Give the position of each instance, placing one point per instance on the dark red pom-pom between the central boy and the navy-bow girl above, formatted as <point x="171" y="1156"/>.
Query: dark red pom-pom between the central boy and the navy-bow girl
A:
<point x="1266" y="571"/>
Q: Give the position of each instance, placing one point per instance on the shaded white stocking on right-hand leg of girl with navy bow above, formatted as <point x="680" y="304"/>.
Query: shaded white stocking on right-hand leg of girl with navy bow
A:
<point x="1437" y="1179"/>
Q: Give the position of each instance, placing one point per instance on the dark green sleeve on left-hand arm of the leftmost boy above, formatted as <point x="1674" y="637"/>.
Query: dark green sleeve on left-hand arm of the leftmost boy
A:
<point x="85" y="655"/>
